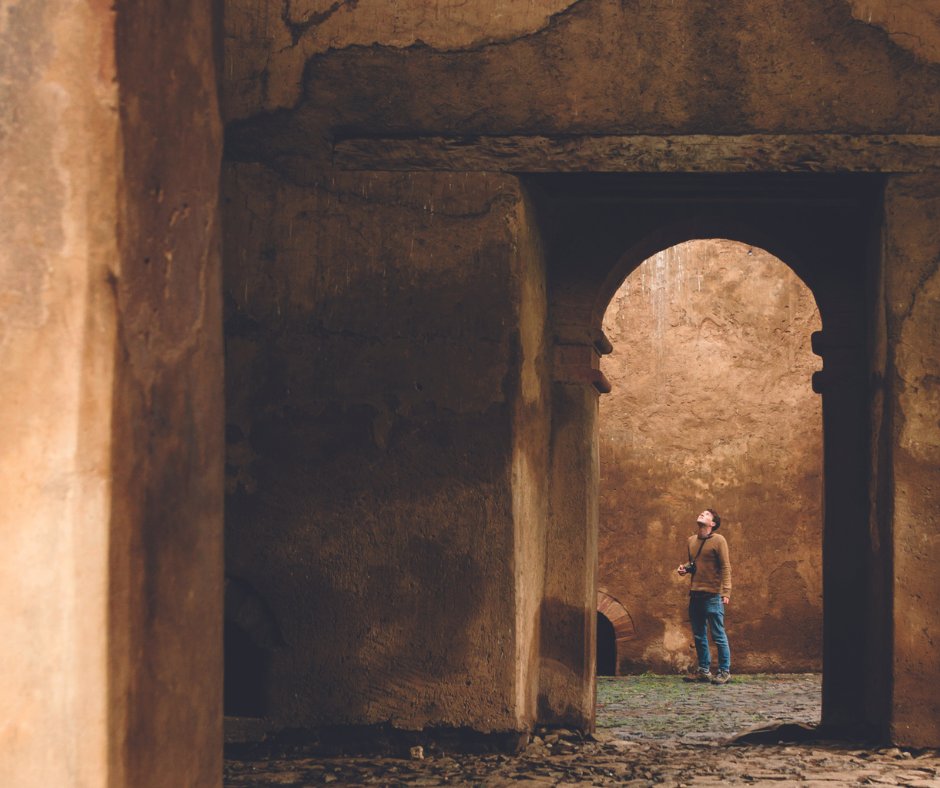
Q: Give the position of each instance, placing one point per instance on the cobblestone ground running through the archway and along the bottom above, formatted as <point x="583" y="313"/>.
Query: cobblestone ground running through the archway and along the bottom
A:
<point x="651" y="730"/>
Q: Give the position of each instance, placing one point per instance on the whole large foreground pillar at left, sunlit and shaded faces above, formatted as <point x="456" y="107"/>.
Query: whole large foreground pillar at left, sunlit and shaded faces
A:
<point x="110" y="396"/>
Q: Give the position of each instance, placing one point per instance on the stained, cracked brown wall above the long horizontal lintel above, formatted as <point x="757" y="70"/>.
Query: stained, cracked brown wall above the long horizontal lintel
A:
<point x="595" y="66"/>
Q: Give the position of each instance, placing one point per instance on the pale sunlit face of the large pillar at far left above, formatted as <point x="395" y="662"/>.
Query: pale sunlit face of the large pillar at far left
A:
<point x="58" y="144"/>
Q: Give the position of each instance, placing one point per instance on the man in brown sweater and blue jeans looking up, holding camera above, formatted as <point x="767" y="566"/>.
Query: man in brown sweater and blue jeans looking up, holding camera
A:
<point x="710" y="568"/>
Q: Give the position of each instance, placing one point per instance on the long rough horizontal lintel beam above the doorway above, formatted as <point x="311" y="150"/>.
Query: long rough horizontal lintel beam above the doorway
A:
<point x="643" y="153"/>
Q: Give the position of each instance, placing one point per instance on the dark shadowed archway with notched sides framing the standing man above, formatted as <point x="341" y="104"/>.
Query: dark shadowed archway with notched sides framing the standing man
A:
<point x="826" y="229"/>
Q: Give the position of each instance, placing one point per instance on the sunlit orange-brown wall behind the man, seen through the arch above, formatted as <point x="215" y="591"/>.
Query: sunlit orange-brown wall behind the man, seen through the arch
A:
<point x="712" y="406"/>
